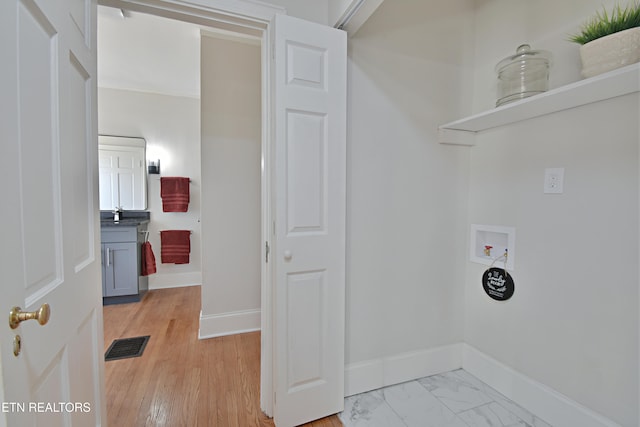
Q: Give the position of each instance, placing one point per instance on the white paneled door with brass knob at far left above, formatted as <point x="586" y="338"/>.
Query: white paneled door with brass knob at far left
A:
<point x="49" y="218"/>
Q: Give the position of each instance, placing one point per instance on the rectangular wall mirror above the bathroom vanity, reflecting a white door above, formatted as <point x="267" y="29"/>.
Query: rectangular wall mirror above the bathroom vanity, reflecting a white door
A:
<point x="123" y="178"/>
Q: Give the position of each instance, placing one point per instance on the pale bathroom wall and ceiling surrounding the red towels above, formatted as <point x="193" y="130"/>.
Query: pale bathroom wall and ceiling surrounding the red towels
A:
<point x="149" y="88"/>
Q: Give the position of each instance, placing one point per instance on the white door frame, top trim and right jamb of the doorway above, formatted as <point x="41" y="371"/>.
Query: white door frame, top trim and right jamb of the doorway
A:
<point x="251" y="18"/>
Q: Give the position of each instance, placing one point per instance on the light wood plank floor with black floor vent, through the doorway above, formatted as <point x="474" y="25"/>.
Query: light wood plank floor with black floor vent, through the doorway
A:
<point x="181" y="380"/>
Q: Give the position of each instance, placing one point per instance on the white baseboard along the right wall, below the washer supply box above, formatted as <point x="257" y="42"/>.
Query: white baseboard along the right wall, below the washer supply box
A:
<point x="546" y="403"/>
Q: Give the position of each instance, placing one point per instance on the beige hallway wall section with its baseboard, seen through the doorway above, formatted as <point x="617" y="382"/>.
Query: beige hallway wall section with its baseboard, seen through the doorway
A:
<point x="231" y="173"/>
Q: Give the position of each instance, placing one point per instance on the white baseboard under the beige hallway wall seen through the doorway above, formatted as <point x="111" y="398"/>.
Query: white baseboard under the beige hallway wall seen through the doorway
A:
<point x="235" y="322"/>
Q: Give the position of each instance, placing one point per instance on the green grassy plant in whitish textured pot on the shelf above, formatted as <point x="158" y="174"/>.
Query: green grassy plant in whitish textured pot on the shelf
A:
<point x="610" y="40"/>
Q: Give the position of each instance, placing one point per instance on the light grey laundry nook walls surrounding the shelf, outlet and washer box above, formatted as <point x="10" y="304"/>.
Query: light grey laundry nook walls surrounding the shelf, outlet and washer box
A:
<point x="572" y="326"/>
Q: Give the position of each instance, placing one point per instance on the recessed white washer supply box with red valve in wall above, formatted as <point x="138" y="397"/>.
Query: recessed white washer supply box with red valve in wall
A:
<point x="499" y="239"/>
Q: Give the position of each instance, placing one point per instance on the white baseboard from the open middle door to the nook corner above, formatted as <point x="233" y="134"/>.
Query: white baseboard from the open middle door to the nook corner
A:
<point x="377" y="373"/>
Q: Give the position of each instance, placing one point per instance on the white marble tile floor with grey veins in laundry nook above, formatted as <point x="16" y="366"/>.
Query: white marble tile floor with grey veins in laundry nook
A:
<point x="452" y="399"/>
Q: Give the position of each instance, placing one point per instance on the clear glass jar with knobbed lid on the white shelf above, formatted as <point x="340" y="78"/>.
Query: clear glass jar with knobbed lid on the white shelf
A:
<point x="522" y="75"/>
